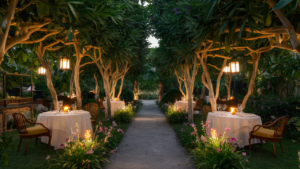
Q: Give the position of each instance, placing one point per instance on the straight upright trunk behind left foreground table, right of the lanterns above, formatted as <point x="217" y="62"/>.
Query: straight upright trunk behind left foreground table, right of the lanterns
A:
<point x="76" y="76"/>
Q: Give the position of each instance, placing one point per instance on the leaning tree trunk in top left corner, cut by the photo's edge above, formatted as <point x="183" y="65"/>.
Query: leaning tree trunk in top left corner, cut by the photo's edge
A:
<point x="9" y="16"/>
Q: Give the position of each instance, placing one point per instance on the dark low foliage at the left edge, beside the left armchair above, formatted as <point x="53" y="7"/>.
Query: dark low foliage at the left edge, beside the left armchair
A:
<point x="5" y="145"/>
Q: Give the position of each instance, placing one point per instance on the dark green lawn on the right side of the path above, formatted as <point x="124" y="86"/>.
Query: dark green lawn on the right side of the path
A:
<point x="262" y="157"/>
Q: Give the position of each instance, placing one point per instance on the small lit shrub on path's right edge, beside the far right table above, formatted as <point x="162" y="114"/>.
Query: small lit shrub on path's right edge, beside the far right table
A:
<point x="176" y="115"/>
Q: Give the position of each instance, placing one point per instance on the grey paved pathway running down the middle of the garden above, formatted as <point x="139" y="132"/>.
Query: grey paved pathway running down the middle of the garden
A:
<point x="150" y="143"/>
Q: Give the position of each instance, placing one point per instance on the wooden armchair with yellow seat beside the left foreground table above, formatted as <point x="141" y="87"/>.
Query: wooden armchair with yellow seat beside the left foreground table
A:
<point x="31" y="132"/>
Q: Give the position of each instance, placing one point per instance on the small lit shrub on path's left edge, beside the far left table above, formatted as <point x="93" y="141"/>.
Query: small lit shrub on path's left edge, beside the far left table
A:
<point x="124" y="115"/>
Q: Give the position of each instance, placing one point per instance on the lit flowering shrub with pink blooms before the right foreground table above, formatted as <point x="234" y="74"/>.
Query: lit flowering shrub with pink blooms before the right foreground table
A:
<point x="217" y="151"/>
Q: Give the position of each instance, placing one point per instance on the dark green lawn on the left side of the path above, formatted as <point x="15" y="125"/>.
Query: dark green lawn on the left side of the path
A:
<point x="36" y="155"/>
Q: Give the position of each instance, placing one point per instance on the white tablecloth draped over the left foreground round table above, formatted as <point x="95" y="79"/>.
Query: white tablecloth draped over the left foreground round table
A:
<point x="61" y="124"/>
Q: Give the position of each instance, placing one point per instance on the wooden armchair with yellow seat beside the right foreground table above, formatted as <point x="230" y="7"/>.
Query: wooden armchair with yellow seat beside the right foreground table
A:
<point x="273" y="134"/>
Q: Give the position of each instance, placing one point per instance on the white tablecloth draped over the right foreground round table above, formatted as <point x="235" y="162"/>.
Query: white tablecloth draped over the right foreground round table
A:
<point x="240" y="126"/>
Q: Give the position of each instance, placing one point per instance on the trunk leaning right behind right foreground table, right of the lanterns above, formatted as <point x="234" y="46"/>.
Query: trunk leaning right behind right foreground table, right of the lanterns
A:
<point x="255" y="60"/>
